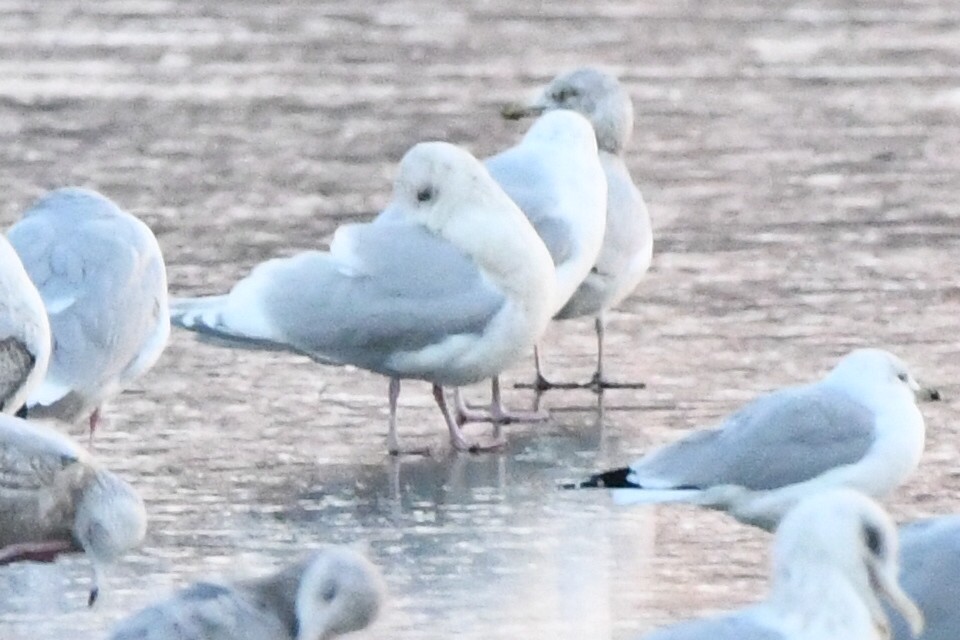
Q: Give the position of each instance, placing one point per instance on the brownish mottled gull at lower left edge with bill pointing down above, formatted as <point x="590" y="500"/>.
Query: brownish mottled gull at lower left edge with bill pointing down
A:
<point x="55" y="499"/>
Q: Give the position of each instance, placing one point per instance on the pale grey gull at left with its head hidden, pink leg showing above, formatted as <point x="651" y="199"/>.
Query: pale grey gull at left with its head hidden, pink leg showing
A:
<point x="101" y="275"/>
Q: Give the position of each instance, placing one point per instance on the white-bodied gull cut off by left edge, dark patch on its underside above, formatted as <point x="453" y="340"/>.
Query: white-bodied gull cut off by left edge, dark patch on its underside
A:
<point x="24" y="332"/>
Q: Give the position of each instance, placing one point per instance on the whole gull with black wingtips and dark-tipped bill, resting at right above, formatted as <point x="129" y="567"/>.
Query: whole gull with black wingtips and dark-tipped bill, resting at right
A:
<point x="858" y="427"/>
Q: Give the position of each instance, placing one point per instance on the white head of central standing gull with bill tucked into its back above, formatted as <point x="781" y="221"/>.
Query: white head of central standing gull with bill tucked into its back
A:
<point x="437" y="180"/>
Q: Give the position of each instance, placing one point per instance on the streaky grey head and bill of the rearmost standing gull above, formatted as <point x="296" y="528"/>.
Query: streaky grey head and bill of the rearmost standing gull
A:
<point x="597" y="95"/>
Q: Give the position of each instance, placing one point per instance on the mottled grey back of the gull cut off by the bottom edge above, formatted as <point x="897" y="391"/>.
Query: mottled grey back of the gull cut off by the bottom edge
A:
<point x="203" y="611"/>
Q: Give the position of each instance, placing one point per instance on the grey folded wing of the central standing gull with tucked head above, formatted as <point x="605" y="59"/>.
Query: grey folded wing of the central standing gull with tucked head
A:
<point x="396" y="287"/>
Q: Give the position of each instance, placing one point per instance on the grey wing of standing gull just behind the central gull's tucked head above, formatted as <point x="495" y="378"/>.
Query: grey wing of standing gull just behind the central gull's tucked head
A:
<point x="520" y="176"/>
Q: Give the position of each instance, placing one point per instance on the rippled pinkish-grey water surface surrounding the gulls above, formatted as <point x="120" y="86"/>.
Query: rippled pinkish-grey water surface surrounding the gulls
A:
<point x="800" y="165"/>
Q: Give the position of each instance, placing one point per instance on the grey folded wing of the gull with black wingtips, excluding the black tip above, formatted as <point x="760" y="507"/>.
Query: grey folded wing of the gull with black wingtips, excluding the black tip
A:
<point x="788" y="436"/>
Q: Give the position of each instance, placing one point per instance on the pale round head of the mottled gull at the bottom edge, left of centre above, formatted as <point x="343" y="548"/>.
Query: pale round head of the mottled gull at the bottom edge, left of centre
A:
<point x="340" y="591"/>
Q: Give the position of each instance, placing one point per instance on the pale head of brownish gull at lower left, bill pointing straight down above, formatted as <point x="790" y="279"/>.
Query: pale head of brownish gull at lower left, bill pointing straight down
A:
<point x="110" y="521"/>
